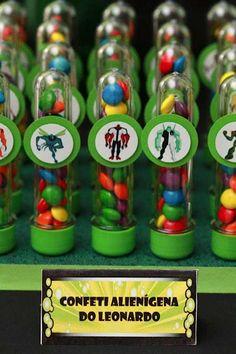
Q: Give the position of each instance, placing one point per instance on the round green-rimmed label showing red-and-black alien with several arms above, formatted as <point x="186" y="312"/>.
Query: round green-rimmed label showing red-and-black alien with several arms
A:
<point x="115" y="141"/>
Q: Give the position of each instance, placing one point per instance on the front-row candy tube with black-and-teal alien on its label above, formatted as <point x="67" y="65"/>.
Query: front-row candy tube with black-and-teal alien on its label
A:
<point x="172" y="225"/>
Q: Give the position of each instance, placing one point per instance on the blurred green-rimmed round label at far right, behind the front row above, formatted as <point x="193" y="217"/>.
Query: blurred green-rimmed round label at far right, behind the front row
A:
<point x="207" y="63"/>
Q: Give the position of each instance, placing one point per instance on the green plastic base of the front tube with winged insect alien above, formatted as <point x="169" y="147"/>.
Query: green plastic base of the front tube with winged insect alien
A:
<point x="52" y="242"/>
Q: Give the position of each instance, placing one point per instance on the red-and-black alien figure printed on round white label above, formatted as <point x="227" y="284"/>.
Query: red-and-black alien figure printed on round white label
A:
<point x="116" y="138"/>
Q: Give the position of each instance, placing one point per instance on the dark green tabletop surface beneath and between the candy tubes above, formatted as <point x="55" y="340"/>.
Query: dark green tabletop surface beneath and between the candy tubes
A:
<point x="84" y="255"/>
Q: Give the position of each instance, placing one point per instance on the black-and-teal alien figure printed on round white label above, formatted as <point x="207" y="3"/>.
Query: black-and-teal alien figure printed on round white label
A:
<point x="171" y="139"/>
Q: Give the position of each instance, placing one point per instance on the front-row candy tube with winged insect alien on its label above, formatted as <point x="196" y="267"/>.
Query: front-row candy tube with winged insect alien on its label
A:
<point x="53" y="225"/>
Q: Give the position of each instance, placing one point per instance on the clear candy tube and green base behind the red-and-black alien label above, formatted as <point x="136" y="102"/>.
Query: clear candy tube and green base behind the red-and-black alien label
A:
<point x="113" y="225"/>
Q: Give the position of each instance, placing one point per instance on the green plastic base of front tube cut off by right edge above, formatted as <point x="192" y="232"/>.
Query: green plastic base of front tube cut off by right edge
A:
<point x="223" y="246"/>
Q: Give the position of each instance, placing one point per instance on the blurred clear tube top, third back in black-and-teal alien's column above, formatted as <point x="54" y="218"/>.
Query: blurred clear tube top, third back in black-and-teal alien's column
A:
<point x="173" y="32"/>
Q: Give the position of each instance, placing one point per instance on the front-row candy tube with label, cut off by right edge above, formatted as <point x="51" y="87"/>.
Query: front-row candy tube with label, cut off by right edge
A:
<point x="221" y="142"/>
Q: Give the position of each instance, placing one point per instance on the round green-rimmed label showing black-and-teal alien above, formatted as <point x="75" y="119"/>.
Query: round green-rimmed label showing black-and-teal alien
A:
<point x="169" y="140"/>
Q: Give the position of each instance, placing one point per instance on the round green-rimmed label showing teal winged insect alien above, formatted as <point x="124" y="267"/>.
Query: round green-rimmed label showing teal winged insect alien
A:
<point x="52" y="142"/>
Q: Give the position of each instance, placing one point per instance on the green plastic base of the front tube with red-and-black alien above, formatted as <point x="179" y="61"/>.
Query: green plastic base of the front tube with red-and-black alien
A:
<point x="113" y="243"/>
